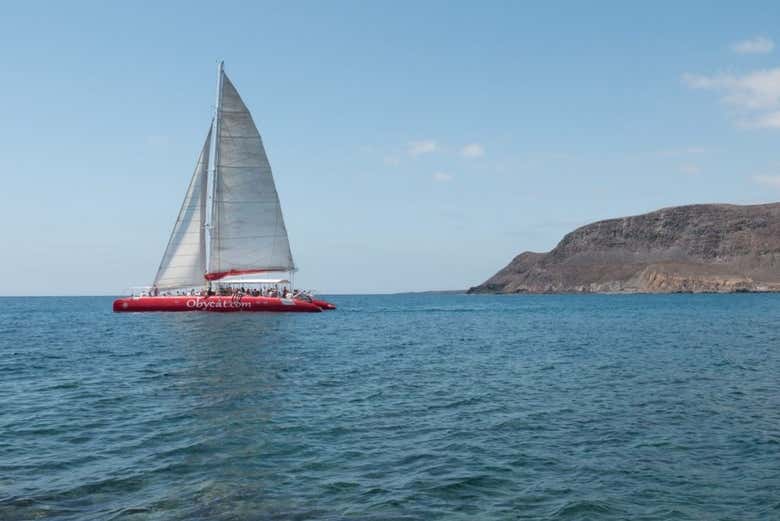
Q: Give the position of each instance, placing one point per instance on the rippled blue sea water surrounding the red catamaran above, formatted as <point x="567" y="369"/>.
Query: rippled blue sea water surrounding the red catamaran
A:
<point x="394" y="407"/>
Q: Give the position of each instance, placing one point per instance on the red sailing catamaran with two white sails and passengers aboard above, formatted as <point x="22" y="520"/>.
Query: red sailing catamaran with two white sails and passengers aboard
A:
<point x="230" y="227"/>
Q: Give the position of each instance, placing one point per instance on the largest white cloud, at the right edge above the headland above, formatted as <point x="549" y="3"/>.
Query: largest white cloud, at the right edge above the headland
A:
<point x="755" y="95"/>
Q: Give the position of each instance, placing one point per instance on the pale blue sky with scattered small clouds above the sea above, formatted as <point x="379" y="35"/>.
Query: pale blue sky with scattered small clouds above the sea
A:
<point x="415" y="145"/>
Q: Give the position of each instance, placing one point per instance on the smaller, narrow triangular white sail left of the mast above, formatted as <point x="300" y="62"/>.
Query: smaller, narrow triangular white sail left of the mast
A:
<point x="184" y="261"/>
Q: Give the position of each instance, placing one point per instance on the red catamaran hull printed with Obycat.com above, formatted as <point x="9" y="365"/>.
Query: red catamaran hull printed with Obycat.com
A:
<point x="215" y="303"/>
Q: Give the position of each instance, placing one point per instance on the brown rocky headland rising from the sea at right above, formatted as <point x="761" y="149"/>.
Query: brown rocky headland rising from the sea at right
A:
<point x="699" y="248"/>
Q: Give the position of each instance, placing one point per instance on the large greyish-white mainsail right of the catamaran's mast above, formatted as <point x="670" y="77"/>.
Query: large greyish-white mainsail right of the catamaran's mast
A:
<point x="248" y="232"/>
